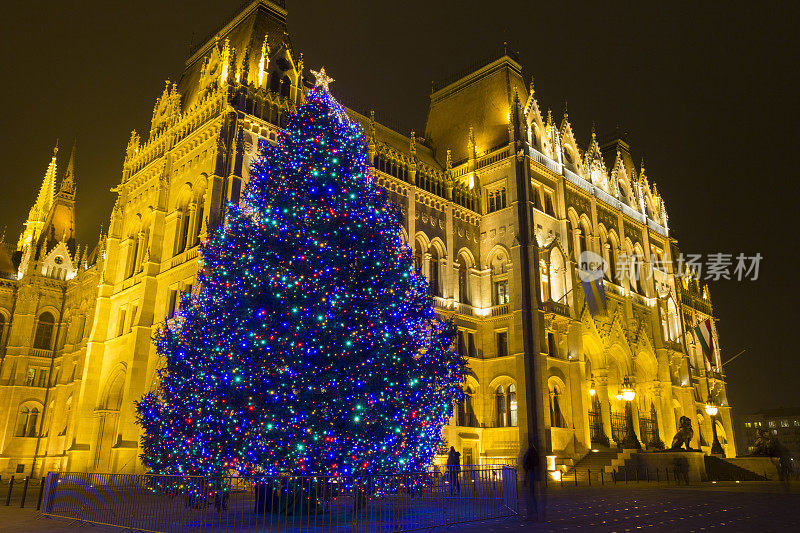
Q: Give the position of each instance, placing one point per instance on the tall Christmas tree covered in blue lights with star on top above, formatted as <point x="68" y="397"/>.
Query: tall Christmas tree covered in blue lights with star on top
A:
<point x="310" y="344"/>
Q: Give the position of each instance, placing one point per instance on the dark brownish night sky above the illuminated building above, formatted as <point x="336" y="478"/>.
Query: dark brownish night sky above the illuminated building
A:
<point x="707" y="92"/>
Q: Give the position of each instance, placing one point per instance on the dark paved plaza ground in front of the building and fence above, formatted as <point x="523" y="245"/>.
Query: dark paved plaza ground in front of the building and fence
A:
<point x="757" y="507"/>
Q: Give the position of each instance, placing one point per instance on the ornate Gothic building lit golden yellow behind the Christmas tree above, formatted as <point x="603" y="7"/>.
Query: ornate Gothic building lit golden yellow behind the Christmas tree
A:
<point x="499" y="203"/>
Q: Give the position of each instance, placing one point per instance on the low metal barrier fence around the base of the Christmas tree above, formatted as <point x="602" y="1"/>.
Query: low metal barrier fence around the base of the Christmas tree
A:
<point x="390" y="502"/>
